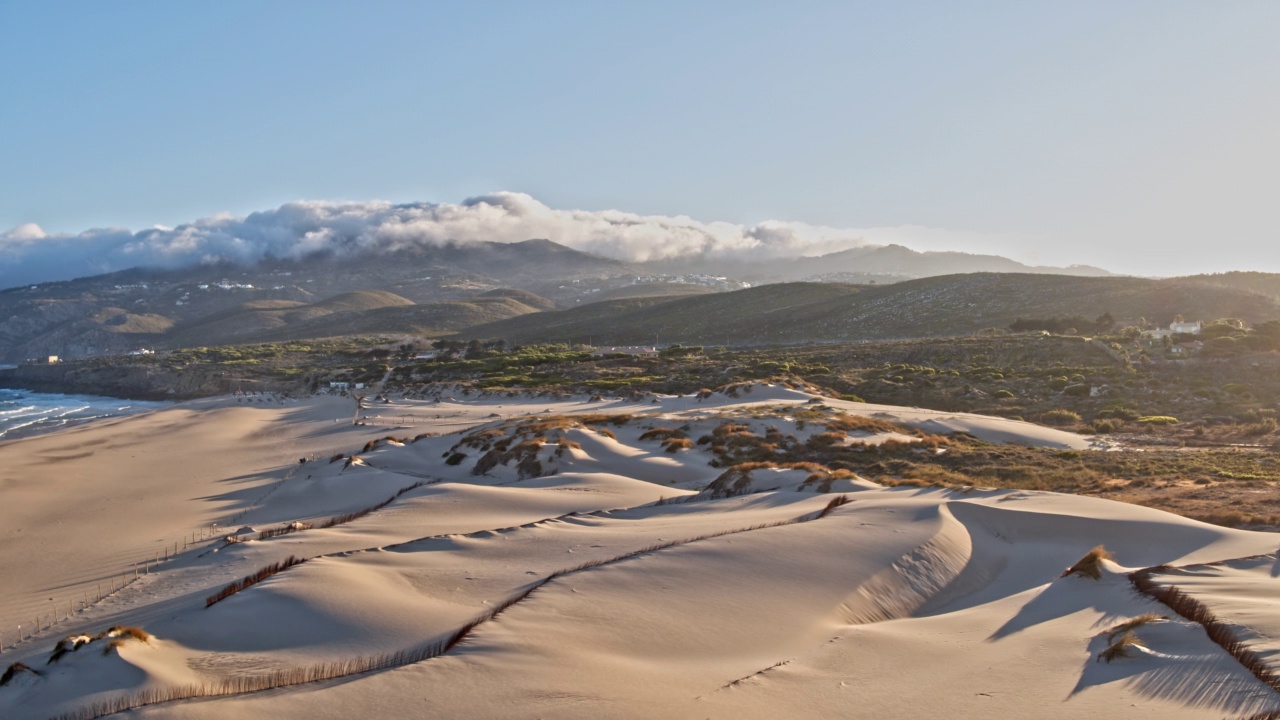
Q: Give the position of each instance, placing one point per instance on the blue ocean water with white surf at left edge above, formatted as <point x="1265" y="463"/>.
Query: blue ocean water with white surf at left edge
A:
<point x="29" y="413"/>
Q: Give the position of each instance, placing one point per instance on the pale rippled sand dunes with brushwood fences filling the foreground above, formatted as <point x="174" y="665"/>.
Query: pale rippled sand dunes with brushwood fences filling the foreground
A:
<point x="568" y="559"/>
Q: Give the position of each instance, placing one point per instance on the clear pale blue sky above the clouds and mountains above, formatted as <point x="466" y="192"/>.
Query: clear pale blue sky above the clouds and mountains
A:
<point x="1141" y="136"/>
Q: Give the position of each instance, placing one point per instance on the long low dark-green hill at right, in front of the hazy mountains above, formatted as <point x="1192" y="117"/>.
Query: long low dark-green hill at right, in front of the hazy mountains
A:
<point x="927" y="308"/>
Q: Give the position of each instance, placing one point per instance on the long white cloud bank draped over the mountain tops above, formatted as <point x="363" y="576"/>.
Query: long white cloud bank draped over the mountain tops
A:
<point x="298" y="230"/>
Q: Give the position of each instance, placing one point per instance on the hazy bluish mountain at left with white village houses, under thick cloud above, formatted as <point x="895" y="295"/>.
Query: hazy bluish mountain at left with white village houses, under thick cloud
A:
<point x="225" y="303"/>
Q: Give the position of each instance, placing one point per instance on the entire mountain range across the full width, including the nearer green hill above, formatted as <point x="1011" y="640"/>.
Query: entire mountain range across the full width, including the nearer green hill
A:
<point x="514" y="290"/>
